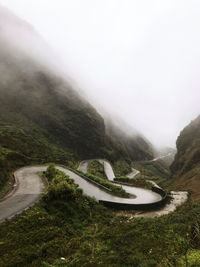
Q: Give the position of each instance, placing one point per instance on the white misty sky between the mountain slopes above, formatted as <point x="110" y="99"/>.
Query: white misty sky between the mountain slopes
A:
<point x="138" y="59"/>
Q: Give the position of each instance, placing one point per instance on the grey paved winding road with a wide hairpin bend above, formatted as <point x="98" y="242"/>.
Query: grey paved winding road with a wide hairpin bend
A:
<point x="30" y="186"/>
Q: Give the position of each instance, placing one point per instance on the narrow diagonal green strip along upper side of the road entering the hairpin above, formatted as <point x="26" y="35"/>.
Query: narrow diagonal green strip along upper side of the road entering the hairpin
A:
<point x="115" y="189"/>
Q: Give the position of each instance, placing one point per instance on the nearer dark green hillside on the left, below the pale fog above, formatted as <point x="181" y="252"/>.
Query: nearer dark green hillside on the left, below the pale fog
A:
<point x="40" y="123"/>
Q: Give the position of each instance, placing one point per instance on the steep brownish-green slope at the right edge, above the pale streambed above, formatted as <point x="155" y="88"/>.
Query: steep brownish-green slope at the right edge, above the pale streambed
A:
<point x="186" y="165"/>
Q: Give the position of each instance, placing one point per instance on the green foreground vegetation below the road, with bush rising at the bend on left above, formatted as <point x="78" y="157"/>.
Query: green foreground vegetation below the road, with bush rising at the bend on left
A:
<point x="68" y="225"/>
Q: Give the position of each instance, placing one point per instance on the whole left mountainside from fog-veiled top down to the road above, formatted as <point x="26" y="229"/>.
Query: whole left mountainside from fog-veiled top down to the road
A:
<point x="42" y="118"/>
